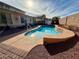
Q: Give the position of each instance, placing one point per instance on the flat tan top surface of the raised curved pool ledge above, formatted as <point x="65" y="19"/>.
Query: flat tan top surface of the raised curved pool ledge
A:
<point x="65" y="32"/>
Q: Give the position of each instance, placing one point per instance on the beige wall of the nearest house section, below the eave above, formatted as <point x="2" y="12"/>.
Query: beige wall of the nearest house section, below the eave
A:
<point x="13" y="19"/>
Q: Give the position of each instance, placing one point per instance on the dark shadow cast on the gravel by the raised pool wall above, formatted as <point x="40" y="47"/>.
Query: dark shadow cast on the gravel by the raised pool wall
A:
<point x="61" y="47"/>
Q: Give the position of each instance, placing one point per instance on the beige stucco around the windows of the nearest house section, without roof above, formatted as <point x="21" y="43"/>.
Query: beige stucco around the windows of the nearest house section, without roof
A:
<point x="15" y="23"/>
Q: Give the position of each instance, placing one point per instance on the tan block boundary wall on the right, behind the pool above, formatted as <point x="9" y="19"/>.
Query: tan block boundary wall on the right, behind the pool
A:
<point x="71" y="20"/>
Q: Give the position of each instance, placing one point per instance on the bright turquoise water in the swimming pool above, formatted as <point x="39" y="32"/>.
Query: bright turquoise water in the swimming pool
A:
<point x="42" y="31"/>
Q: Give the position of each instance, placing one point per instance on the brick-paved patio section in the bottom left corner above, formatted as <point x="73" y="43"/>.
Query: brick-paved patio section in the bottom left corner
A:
<point x="9" y="52"/>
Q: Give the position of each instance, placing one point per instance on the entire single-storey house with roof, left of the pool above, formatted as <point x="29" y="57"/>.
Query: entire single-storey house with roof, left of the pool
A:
<point x="16" y="17"/>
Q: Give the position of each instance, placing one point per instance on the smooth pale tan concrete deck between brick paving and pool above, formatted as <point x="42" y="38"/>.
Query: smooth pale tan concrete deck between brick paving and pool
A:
<point x="23" y="42"/>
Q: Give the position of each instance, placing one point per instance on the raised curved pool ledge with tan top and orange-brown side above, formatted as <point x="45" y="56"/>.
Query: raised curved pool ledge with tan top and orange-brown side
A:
<point x="65" y="35"/>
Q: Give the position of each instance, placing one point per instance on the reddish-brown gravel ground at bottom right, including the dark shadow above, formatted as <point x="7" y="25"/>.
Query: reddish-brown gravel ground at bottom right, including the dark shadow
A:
<point x="68" y="49"/>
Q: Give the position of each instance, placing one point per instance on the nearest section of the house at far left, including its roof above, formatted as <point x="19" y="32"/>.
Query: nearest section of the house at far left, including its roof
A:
<point x="14" y="17"/>
